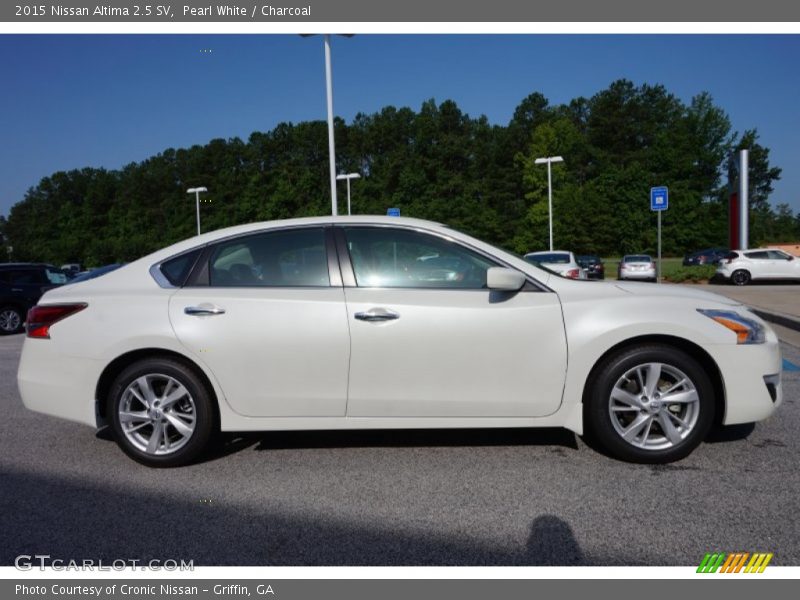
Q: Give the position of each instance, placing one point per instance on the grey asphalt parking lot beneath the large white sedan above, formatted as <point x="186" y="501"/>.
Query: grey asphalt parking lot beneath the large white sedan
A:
<point x="509" y="497"/>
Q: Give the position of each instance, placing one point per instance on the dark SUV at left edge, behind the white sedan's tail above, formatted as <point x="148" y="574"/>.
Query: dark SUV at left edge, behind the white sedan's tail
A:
<point x="21" y="286"/>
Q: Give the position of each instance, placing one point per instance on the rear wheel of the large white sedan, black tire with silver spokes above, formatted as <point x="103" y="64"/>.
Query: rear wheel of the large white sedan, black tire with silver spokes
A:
<point x="197" y="403"/>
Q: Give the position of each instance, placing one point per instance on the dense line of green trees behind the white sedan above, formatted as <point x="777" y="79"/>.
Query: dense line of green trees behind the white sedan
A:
<point x="436" y="163"/>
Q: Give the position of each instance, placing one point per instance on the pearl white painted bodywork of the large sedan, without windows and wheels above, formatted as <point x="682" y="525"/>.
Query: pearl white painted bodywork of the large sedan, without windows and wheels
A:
<point x="128" y="311"/>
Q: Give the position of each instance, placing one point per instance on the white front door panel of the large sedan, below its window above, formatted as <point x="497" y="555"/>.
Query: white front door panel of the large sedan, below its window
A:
<point x="477" y="365"/>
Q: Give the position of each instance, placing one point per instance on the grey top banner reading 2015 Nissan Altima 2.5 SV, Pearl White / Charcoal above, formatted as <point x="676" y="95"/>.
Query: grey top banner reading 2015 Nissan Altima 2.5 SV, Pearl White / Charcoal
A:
<point x="343" y="11"/>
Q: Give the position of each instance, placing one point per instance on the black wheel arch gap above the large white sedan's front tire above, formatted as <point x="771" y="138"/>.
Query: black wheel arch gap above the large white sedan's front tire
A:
<point x="705" y="360"/>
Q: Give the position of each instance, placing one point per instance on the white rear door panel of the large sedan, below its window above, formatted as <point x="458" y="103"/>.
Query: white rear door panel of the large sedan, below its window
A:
<point x="276" y="352"/>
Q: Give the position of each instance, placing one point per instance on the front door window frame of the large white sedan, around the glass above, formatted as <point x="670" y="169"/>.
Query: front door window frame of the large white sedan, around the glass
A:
<point x="349" y="277"/>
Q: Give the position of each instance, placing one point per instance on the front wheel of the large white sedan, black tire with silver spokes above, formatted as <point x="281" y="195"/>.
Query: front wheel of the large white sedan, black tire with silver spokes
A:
<point x="607" y="430"/>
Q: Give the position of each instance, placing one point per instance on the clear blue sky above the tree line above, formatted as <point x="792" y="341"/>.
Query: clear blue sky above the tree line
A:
<point x="104" y="101"/>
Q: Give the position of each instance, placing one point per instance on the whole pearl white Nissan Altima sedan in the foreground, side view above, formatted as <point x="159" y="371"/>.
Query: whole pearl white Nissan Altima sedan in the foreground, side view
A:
<point x="386" y="322"/>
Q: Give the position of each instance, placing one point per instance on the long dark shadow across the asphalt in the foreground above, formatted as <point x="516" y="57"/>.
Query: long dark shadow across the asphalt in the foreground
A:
<point x="77" y="519"/>
